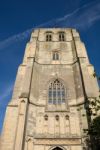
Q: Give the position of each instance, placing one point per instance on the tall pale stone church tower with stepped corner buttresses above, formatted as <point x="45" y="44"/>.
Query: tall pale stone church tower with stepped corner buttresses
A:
<point x="53" y="82"/>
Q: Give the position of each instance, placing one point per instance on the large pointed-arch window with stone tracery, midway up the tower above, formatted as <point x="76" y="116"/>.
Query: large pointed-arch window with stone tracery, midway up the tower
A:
<point x="56" y="92"/>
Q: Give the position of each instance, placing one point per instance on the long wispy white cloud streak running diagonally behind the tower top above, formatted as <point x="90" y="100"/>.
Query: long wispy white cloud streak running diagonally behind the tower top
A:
<point x="81" y="18"/>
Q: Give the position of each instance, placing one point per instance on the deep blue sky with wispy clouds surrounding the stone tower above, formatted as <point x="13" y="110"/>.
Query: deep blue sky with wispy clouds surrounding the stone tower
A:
<point x="18" y="18"/>
